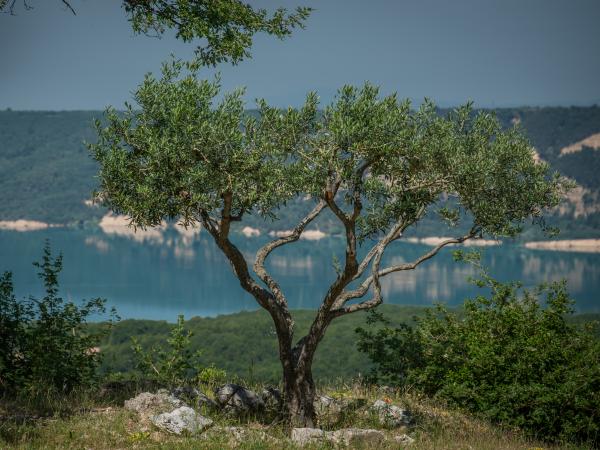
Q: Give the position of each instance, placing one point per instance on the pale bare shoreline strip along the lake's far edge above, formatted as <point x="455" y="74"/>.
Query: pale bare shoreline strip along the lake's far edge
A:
<point x="119" y="225"/>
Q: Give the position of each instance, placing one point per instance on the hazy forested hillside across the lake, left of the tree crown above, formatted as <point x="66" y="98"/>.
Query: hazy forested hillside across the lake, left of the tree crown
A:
<point x="46" y="172"/>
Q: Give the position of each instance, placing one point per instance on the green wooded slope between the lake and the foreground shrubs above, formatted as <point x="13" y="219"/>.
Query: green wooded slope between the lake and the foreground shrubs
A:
<point x="244" y="344"/>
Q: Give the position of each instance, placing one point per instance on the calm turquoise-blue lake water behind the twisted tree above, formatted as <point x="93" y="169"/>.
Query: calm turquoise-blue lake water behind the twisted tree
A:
<point x="176" y="274"/>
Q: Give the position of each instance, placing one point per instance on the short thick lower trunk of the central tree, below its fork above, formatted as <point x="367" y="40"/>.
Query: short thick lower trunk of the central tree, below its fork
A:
<point x="299" y="394"/>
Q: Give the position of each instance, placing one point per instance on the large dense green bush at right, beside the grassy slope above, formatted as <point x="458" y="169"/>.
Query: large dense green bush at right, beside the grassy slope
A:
<point x="507" y="357"/>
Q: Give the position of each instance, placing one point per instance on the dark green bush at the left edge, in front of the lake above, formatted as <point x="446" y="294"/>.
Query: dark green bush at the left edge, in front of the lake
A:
<point x="45" y="344"/>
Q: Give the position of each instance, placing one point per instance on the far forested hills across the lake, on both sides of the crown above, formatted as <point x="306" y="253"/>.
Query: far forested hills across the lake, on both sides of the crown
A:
<point x="46" y="172"/>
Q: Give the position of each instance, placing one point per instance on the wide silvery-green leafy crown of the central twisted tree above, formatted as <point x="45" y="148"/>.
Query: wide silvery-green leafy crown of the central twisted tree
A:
<point x="182" y="154"/>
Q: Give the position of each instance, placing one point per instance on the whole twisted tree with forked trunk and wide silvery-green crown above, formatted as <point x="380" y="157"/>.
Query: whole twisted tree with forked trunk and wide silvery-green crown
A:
<point x="374" y="163"/>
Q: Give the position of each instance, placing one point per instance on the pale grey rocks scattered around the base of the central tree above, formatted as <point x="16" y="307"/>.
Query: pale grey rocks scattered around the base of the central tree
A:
<point x="169" y="412"/>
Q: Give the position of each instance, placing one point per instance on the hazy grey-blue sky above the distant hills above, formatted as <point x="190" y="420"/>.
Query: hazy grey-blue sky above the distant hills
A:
<point x="495" y="52"/>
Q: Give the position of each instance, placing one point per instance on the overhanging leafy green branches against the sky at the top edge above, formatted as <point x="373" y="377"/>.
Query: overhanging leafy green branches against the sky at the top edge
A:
<point x="226" y="26"/>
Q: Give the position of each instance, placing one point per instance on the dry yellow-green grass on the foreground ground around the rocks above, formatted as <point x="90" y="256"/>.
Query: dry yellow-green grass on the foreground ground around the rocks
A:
<point x="95" y="424"/>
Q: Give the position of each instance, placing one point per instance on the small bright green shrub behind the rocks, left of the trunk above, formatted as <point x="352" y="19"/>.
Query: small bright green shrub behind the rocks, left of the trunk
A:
<point x="174" y="365"/>
